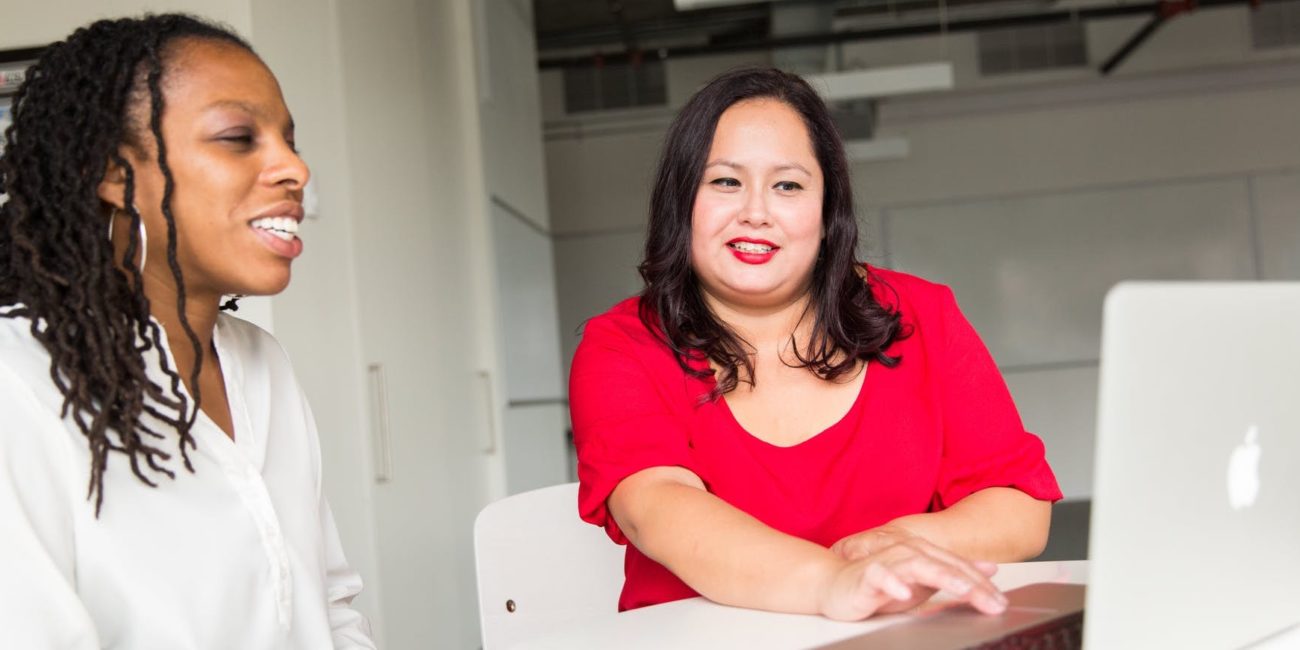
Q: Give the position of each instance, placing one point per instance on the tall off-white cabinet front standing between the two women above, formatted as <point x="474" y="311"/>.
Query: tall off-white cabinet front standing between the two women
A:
<point x="421" y="222"/>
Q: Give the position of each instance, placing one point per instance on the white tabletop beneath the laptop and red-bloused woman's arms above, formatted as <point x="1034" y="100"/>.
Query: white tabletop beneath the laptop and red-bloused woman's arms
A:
<point x="697" y="623"/>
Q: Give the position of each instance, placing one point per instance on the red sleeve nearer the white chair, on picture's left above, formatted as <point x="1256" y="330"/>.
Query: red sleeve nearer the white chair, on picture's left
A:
<point x="622" y="409"/>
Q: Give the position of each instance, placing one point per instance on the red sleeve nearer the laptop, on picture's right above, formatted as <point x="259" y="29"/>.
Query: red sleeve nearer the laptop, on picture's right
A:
<point x="985" y="443"/>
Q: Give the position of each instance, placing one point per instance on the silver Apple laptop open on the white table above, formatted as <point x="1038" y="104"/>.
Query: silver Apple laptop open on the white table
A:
<point x="1195" y="532"/>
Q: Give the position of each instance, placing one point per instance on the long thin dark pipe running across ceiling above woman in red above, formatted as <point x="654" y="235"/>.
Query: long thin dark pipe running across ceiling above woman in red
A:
<point x="874" y="34"/>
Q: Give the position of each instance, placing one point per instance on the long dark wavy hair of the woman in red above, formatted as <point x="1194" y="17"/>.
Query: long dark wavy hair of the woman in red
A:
<point x="848" y="323"/>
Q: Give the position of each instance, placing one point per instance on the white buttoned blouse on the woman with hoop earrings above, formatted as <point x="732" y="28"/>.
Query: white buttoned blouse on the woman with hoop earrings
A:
<point x="241" y="554"/>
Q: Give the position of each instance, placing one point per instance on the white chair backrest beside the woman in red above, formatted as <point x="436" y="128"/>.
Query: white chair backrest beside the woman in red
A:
<point x="539" y="566"/>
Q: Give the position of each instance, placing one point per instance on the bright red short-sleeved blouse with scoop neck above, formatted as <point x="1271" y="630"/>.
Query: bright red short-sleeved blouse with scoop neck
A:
<point x="918" y="439"/>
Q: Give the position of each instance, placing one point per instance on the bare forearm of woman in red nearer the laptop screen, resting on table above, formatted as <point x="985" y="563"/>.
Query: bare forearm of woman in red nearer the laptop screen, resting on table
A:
<point x="996" y="525"/>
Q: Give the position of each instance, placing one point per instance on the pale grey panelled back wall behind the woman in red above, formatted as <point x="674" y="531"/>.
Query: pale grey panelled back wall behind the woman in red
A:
<point x="1030" y="194"/>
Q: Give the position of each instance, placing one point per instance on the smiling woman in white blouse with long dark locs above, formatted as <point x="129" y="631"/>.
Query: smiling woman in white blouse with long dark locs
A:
<point x="159" y="466"/>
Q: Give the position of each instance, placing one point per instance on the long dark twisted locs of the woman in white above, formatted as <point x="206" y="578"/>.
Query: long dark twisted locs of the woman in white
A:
<point x="84" y="99"/>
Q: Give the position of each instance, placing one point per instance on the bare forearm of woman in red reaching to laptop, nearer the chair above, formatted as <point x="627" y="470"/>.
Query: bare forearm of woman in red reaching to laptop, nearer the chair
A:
<point x="722" y="553"/>
